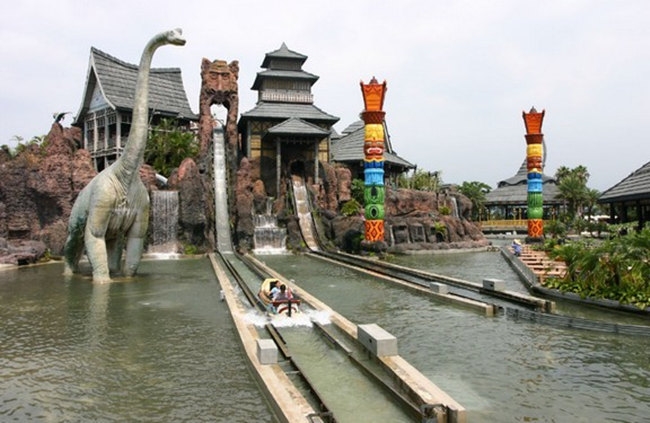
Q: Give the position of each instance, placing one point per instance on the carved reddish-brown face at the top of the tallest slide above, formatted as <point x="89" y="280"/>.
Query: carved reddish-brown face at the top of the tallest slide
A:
<point x="219" y="79"/>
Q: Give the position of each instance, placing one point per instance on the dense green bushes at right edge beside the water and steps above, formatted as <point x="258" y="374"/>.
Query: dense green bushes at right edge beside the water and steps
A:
<point x="616" y="269"/>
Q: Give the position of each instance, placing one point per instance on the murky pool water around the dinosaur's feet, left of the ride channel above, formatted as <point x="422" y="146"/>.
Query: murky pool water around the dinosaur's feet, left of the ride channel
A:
<point x="161" y="348"/>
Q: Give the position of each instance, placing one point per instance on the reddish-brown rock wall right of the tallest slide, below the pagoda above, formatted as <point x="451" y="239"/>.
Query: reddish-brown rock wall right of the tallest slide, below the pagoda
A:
<point x="415" y="220"/>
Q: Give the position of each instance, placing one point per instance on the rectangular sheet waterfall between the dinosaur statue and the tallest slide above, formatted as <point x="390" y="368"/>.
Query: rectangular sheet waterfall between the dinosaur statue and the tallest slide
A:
<point x="164" y="222"/>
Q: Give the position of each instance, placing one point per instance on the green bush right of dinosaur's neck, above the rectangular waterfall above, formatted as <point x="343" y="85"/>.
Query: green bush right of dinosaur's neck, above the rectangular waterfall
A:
<point x="168" y="146"/>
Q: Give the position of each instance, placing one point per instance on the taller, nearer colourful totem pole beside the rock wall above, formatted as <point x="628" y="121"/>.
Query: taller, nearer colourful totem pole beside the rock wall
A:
<point x="373" y="163"/>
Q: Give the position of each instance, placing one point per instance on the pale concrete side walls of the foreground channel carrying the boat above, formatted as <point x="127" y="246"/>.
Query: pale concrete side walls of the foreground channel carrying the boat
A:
<point x="289" y="404"/>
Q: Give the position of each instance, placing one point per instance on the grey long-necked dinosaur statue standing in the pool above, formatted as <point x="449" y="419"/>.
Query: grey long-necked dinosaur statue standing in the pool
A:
<point x="113" y="209"/>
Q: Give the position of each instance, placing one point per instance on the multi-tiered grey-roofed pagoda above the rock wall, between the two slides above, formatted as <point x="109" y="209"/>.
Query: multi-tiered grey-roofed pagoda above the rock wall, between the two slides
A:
<point x="285" y="131"/>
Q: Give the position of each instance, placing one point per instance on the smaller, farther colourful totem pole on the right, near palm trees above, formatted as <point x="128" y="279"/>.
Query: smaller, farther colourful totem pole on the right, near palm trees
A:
<point x="535" y="165"/>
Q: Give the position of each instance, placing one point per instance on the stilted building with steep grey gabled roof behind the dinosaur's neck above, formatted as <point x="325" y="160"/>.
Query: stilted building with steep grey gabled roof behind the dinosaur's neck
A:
<point x="107" y="104"/>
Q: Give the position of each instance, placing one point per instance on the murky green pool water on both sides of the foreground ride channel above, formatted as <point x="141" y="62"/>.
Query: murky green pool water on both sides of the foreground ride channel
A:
<point x="164" y="348"/>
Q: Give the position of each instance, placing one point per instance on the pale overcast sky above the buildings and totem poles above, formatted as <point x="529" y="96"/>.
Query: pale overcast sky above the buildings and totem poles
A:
<point x="459" y="73"/>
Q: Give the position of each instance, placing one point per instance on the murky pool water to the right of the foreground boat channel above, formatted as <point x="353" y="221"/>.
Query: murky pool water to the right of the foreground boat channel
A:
<point x="499" y="369"/>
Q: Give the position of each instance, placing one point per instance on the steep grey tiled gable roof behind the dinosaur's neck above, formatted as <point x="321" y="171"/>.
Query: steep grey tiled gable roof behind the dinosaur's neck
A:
<point x="117" y="80"/>
